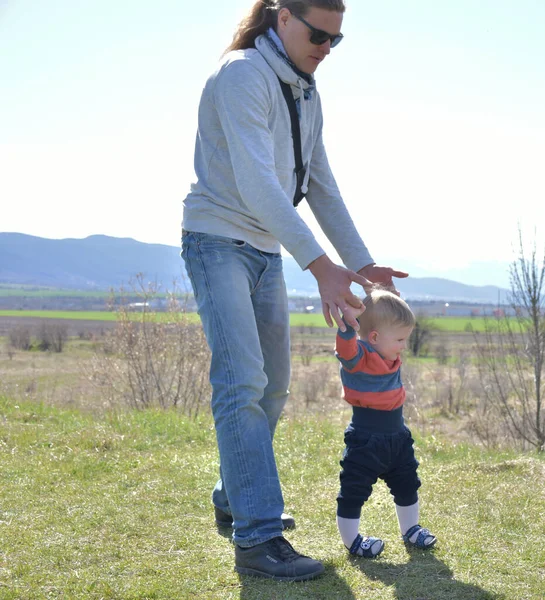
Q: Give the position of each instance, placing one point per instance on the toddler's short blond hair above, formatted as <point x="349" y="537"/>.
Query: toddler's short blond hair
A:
<point x="383" y="309"/>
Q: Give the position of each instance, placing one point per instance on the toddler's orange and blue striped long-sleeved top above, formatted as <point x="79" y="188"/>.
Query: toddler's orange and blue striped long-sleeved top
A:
<point x="368" y="379"/>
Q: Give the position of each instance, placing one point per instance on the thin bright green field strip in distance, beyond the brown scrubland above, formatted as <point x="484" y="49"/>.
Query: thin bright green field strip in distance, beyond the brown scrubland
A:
<point x="446" y="324"/>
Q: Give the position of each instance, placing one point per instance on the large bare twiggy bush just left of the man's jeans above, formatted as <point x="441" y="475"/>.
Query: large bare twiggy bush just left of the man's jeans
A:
<point x="153" y="359"/>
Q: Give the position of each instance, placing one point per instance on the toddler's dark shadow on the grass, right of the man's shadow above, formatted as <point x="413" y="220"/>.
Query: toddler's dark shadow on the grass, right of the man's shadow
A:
<point x="422" y="578"/>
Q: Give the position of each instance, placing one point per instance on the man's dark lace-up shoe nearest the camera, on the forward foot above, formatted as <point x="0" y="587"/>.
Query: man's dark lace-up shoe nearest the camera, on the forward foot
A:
<point x="276" y="559"/>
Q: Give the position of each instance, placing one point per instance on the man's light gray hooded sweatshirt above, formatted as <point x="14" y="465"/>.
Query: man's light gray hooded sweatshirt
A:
<point x="245" y="164"/>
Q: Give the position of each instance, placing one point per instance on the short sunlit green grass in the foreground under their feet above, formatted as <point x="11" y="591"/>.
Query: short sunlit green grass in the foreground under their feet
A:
<point x="117" y="505"/>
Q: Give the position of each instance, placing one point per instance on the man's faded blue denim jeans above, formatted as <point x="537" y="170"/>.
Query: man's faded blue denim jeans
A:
<point x="242" y="301"/>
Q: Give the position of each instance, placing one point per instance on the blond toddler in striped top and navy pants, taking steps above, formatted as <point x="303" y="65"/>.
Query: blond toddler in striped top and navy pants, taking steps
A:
<point x="378" y="444"/>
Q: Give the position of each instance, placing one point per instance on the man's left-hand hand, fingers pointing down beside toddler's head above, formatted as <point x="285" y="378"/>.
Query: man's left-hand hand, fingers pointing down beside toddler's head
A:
<point x="334" y="286"/>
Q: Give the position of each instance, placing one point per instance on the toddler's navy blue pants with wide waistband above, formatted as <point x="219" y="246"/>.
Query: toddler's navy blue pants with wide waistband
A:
<point x="378" y="446"/>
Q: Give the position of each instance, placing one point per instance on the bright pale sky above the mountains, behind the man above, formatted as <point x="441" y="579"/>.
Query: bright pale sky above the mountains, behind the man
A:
<point x="434" y="120"/>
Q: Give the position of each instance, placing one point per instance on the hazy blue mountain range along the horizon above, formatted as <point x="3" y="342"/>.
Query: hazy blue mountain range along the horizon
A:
<point x="100" y="262"/>
